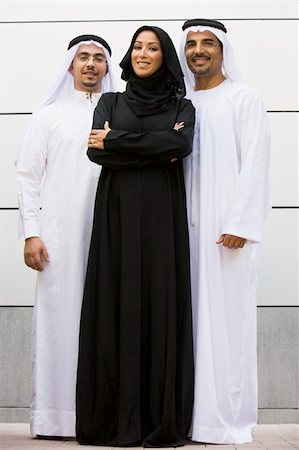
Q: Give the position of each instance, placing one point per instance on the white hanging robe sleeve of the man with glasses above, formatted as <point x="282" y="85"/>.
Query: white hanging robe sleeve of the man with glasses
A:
<point x="30" y="167"/>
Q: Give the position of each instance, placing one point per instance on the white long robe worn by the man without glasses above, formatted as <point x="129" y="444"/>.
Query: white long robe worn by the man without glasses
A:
<point x="227" y="191"/>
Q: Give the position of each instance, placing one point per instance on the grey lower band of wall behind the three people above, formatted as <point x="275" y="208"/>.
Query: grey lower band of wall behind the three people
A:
<point x="277" y="364"/>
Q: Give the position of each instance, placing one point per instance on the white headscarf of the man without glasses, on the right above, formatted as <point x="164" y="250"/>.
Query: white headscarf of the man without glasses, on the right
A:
<point x="229" y="65"/>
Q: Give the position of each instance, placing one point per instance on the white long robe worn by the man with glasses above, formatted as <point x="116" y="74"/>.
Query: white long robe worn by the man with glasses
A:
<point x="56" y="143"/>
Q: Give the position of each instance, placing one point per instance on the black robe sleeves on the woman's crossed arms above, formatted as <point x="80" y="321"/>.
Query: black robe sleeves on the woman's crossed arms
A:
<point x="123" y="149"/>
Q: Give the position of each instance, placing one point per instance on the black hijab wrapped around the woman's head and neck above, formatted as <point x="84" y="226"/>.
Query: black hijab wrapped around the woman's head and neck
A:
<point x="153" y="95"/>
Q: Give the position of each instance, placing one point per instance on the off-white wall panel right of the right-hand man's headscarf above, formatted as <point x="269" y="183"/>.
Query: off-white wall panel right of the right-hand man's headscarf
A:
<point x="267" y="54"/>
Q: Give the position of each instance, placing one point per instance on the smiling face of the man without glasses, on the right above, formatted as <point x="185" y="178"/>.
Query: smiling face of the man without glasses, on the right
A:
<point x="203" y="54"/>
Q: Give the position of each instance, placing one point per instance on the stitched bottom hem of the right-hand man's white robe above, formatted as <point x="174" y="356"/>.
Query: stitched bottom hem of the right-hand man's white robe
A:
<point x="213" y="435"/>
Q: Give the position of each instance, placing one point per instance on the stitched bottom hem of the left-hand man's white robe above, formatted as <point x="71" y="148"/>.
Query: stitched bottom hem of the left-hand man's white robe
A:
<point x="53" y="423"/>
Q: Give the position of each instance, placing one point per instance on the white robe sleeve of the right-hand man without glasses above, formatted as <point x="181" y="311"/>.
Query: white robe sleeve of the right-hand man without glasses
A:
<point x="251" y="201"/>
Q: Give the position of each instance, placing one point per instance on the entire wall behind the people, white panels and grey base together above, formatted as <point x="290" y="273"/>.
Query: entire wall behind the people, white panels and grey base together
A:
<point x="33" y="38"/>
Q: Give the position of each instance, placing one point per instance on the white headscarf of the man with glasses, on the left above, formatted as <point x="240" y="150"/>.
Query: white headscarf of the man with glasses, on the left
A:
<point x="65" y="79"/>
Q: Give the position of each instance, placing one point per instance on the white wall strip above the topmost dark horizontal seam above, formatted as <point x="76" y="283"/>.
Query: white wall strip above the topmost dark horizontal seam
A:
<point x="145" y="10"/>
